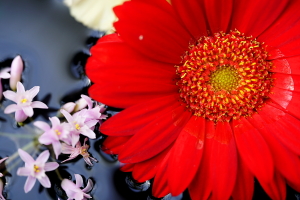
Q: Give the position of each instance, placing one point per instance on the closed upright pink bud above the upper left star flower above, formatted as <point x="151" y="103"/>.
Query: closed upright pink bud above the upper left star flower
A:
<point x="16" y="72"/>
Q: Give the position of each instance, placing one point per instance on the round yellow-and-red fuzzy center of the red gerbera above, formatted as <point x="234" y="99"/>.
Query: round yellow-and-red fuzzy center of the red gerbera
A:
<point x="225" y="76"/>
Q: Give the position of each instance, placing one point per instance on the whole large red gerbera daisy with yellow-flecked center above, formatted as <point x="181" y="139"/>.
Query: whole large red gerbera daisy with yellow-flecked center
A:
<point x="210" y="90"/>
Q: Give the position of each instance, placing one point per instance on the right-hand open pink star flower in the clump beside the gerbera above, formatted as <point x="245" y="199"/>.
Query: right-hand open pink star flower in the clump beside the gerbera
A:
<point x="79" y="126"/>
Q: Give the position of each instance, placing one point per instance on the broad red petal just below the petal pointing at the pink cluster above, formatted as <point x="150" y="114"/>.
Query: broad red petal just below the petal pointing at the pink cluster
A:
<point x="155" y="137"/>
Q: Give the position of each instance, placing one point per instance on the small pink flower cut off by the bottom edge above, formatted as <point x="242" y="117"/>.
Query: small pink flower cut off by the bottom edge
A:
<point x="73" y="190"/>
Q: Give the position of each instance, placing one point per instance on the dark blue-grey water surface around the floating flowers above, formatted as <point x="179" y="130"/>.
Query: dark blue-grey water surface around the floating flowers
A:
<point x="54" y="48"/>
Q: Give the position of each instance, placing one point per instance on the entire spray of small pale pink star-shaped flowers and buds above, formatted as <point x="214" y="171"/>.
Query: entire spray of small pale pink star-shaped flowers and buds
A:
<point x="81" y="118"/>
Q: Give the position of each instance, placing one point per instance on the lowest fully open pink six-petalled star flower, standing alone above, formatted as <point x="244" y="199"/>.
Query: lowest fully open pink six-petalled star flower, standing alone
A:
<point x="35" y="169"/>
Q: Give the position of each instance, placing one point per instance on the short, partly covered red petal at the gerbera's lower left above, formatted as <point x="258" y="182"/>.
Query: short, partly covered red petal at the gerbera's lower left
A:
<point x="147" y="169"/>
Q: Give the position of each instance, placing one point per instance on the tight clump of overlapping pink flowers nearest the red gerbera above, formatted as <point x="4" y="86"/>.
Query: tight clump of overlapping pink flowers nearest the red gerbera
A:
<point x="67" y="134"/>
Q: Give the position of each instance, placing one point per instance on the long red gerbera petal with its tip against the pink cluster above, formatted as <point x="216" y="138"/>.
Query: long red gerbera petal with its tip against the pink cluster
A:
<point x="129" y="121"/>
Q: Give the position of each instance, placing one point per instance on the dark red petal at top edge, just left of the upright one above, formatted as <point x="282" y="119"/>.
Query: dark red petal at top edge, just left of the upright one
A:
<point x="192" y="15"/>
